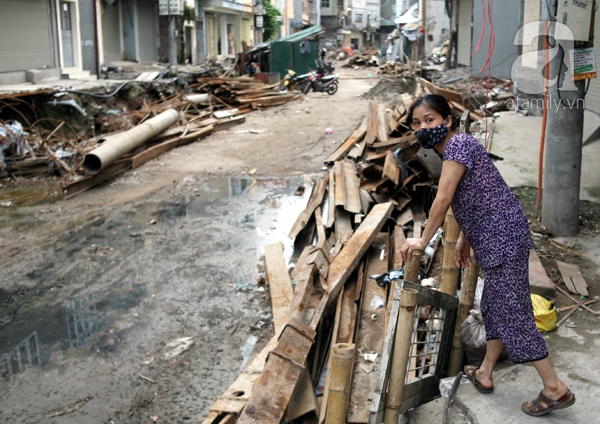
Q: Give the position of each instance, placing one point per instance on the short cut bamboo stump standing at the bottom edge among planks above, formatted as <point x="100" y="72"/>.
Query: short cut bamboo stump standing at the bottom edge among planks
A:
<point x="340" y="382"/>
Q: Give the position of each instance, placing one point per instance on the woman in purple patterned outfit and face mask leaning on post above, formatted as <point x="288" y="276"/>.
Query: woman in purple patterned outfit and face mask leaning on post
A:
<point x="494" y="225"/>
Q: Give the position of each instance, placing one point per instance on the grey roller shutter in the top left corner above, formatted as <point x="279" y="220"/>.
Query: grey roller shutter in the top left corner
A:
<point x="25" y="35"/>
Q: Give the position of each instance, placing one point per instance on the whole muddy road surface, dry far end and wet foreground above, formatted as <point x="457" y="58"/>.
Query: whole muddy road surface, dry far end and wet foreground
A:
<point x="93" y="289"/>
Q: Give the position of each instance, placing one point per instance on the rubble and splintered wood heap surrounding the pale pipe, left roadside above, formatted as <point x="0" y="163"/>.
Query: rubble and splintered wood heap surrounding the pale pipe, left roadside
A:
<point x="51" y="147"/>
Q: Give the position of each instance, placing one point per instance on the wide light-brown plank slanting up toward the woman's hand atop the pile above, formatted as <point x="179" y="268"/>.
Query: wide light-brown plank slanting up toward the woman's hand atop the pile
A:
<point x="347" y="260"/>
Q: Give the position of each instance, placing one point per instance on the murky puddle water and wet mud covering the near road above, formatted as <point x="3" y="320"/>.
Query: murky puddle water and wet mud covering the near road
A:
<point x="87" y="303"/>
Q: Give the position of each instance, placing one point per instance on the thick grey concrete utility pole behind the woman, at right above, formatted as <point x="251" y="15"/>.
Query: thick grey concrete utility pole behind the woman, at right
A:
<point x="561" y="176"/>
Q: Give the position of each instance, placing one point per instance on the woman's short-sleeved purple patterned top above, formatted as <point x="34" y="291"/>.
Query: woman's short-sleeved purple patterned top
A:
<point x="488" y="213"/>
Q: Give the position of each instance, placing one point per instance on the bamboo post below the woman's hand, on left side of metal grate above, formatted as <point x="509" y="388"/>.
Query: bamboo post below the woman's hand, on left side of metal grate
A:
<point x="402" y="343"/>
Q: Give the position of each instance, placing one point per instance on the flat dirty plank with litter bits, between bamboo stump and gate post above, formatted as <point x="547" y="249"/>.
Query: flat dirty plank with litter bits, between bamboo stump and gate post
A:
<point x="371" y="333"/>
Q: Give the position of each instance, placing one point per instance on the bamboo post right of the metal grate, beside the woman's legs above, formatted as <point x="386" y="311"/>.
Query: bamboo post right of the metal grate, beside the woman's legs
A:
<point x="467" y="299"/>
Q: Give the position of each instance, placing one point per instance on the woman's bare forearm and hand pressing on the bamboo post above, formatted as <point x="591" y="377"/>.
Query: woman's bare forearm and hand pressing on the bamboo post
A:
<point x="452" y="172"/>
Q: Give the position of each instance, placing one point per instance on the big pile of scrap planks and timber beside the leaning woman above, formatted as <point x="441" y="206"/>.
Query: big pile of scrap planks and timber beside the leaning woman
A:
<point x="345" y="331"/>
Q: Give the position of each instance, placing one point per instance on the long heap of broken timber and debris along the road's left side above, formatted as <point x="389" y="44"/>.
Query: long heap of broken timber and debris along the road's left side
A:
<point x="49" y="147"/>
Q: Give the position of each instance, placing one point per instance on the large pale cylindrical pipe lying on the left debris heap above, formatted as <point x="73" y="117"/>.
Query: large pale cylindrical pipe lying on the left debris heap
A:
<point x="115" y="146"/>
